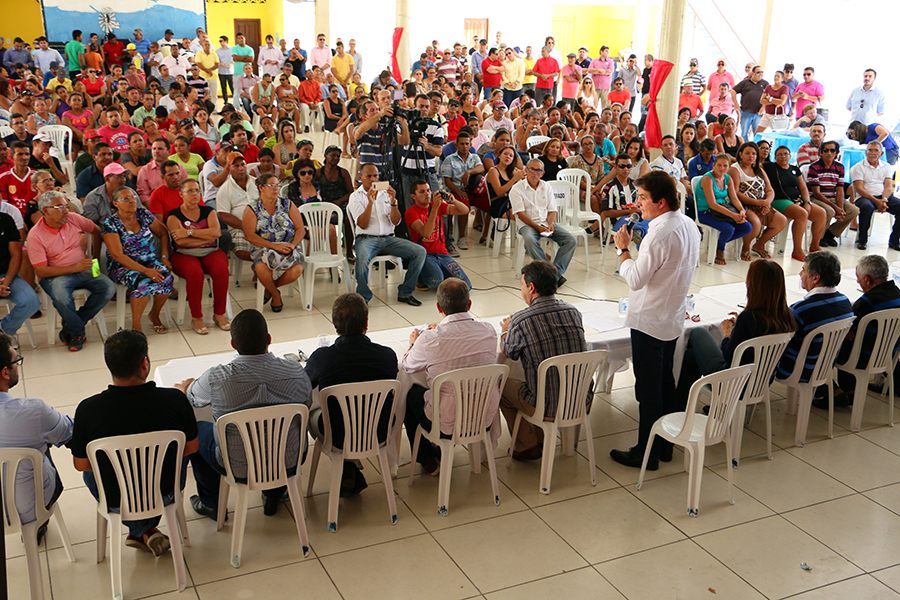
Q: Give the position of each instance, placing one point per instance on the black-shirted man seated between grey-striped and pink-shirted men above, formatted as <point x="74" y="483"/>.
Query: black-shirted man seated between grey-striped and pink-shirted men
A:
<point x="352" y="358"/>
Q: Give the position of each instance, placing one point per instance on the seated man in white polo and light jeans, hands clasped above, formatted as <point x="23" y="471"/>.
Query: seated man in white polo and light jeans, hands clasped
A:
<point x="533" y="204"/>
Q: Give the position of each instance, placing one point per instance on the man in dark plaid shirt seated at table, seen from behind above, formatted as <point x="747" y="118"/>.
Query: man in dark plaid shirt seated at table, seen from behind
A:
<point x="547" y="327"/>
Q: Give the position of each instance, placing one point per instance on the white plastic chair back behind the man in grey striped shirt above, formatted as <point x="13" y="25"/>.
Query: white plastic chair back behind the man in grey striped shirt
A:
<point x="264" y="433"/>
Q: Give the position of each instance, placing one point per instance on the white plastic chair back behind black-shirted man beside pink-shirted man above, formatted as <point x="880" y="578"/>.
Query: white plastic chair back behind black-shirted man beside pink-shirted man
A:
<point x="361" y="406"/>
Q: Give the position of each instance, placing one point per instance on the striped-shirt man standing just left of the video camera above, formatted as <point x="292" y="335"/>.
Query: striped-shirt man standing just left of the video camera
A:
<point x="374" y="144"/>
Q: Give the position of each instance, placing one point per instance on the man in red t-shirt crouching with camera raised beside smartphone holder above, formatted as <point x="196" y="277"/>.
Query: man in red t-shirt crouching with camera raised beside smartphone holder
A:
<point x="424" y="220"/>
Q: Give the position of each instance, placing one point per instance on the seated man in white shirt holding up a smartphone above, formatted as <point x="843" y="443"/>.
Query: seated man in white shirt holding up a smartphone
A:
<point x="373" y="208"/>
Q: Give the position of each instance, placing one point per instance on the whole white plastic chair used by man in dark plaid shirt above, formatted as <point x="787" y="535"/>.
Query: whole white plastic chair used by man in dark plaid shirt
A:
<point x="575" y="372"/>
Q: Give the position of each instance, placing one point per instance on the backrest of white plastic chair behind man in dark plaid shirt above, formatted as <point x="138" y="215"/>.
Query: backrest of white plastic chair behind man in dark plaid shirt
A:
<point x="575" y="373"/>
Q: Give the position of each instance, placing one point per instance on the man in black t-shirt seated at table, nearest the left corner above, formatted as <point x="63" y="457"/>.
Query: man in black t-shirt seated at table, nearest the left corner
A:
<point x="132" y="405"/>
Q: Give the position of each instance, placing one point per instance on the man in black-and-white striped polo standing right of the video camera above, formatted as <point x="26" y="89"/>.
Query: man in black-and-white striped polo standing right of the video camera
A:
<point x="426" y="142"/>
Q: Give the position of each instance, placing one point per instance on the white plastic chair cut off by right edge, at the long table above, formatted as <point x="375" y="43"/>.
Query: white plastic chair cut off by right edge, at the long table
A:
<point x="881" y="360"/>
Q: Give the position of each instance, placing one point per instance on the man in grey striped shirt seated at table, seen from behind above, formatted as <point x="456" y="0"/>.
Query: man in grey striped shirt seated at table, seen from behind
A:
<point x="255" y="378"/>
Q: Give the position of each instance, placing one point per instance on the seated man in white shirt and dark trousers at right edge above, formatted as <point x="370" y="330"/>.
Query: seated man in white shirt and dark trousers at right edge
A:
<point x="873" y="182"/>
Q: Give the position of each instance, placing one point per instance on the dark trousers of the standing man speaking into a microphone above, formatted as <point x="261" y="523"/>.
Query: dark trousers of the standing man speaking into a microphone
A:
<point x="654" y="385"/>
